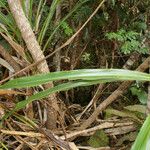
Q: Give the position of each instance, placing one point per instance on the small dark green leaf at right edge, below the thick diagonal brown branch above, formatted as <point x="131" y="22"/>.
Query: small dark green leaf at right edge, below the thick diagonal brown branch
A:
<point x="140" y="93"/>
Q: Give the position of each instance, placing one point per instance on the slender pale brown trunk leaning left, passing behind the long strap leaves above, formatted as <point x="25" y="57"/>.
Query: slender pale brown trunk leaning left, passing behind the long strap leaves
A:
<point x="37" y="54"/>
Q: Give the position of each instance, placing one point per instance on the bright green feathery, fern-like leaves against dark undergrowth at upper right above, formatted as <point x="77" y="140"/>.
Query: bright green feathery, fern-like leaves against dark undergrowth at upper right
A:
<point x="129" y="41"/>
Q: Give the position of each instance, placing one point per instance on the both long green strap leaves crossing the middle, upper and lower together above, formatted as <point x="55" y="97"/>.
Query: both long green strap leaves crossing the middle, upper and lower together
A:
<point x="78" y="78"/>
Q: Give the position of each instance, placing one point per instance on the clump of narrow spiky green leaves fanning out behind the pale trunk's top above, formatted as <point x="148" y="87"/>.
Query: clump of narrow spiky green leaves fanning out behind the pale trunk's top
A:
<point x="46" y="29"/>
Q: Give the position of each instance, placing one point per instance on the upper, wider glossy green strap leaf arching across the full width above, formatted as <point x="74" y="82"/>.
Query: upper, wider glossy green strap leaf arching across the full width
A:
<point x="83" y="74"/>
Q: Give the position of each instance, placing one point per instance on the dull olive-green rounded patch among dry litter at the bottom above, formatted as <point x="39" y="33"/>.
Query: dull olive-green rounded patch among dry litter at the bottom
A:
<point x="99" y="139"/>
